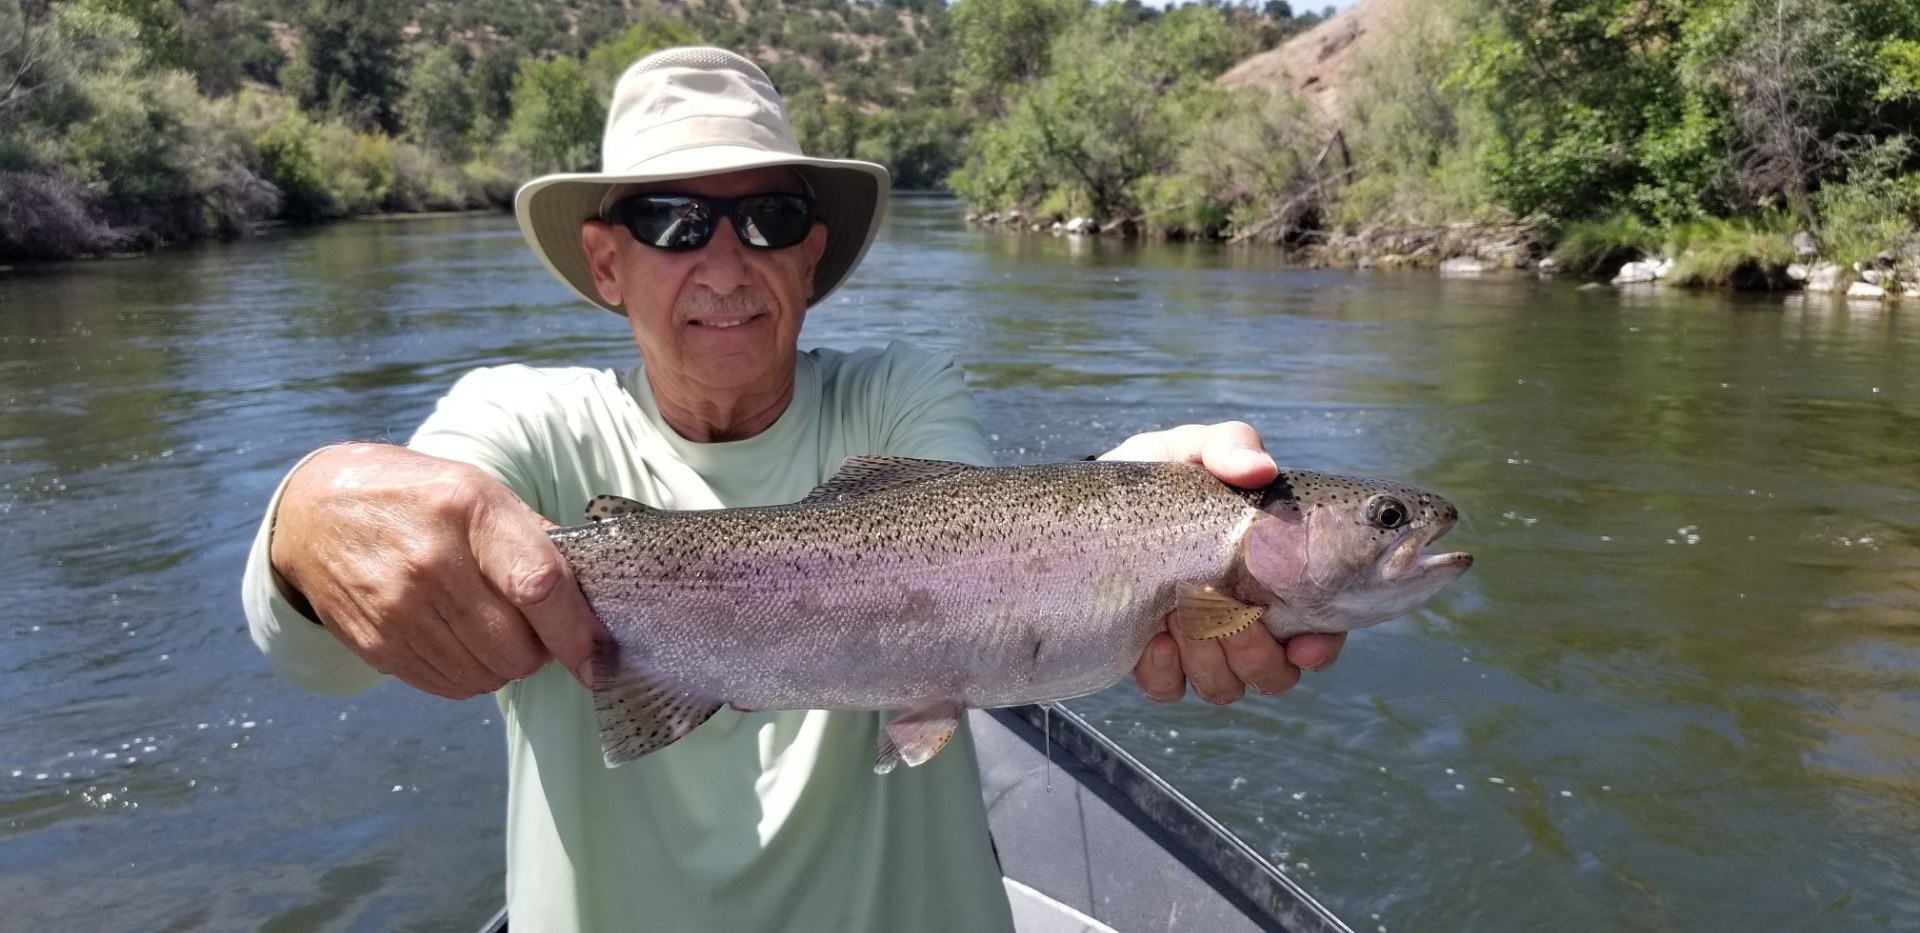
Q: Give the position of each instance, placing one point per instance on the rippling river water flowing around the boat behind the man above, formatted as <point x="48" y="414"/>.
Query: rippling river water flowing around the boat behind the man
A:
<point x="1679" y="690"/>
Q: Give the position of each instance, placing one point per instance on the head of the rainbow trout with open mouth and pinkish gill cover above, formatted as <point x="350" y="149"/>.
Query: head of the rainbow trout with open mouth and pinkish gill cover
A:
<point x="1335" y="554"/>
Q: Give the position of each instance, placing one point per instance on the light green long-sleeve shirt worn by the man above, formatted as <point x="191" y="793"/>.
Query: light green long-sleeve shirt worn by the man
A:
<point x="754" y="823"/>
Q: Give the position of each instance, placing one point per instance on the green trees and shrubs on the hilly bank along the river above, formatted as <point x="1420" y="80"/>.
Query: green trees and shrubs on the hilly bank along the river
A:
<point x="1714" y="145"/>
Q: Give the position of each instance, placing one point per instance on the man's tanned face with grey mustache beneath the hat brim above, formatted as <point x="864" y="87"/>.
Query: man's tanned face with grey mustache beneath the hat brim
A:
<point x="717" y="320"/>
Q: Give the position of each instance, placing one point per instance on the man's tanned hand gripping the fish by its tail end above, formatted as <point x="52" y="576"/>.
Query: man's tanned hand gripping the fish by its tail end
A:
<point x="431" y="571"/>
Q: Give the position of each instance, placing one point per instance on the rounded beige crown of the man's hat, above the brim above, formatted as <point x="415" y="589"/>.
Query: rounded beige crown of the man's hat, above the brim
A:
<point x="686" y="99"/>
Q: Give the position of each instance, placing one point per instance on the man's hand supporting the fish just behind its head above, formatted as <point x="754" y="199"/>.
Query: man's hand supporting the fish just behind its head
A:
<point x="1220" y="669"/>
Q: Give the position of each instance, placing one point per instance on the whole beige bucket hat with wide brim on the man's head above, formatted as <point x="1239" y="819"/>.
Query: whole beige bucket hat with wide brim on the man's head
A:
<point x="690" y="112"/>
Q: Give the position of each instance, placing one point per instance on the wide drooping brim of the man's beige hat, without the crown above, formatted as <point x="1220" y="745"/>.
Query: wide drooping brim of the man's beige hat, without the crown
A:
<point x="852" y="199"/>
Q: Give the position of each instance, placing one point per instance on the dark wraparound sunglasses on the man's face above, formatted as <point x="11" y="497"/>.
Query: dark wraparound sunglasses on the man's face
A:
<point x="686" y="222"/>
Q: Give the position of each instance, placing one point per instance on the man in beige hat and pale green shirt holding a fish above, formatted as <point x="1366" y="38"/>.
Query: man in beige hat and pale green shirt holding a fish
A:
<point x="429" y="563"/>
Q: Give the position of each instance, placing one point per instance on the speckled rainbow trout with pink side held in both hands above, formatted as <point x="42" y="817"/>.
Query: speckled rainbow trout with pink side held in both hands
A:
<point x="932" y="586"/>
